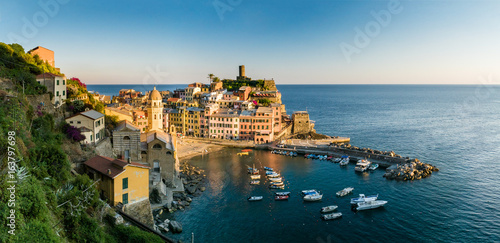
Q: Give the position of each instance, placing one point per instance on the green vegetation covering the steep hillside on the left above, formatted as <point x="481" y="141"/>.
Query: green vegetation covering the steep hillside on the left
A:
<point x="51" y="204"/>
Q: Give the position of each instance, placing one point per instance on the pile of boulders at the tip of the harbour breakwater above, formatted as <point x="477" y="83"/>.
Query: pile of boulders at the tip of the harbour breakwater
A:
<point x="414" y="170"/>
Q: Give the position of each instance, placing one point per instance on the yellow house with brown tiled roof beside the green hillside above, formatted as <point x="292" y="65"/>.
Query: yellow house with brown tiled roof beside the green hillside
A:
<point x="120" y="181"/>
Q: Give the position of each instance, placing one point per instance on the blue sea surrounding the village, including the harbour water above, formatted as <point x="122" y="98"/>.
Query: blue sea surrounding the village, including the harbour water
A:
<point x="454" y="127"/>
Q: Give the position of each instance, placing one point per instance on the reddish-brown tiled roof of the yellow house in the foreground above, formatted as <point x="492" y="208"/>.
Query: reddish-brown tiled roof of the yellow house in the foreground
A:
<point x="111" y="167"/>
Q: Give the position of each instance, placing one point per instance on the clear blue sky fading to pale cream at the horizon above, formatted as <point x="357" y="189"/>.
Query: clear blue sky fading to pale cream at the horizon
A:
<point x="292" y="42"/>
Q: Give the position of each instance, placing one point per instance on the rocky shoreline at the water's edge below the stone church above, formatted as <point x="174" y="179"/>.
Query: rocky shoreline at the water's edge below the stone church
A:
<point x="194" y="184"/>
